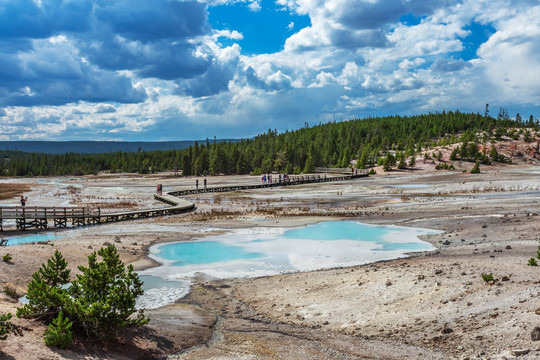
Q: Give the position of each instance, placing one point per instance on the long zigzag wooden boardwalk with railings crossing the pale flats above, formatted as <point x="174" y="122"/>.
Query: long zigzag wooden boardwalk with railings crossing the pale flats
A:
<point x="58" y="217"/>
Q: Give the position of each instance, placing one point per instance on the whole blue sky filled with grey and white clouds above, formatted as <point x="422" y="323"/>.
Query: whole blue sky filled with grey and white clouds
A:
<point x="156" y="70"/>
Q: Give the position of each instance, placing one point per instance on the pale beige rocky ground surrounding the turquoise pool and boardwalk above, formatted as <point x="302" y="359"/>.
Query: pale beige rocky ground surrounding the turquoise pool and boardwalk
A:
<point x="430" y="306"/>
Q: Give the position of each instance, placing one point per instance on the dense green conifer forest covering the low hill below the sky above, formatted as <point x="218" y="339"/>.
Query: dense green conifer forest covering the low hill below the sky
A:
<point x="371" y="141"/>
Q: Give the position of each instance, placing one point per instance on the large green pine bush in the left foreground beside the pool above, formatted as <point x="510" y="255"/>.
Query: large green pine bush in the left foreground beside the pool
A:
<point x="101" y="301"/>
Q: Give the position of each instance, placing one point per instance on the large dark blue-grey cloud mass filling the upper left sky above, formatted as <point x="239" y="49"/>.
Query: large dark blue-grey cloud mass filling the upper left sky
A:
<point x="72" y="51"/>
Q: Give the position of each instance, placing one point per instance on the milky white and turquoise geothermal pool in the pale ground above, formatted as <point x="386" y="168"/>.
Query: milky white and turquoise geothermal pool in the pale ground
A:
<point x="270" y="251"/>
